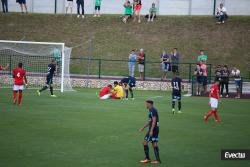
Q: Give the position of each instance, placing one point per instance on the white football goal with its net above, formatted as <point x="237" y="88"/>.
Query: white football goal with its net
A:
<point x="35" y="57"/>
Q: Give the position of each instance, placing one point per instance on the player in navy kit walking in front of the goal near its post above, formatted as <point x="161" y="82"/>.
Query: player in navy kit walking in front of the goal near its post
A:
<point x="49" y="78"/>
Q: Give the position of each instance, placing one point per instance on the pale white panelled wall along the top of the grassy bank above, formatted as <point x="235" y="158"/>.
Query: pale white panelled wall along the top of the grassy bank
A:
<point x="166" y="7"/>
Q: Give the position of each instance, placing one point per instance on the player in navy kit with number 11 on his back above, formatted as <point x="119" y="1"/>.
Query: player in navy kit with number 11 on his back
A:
<point x="176" y="92"/>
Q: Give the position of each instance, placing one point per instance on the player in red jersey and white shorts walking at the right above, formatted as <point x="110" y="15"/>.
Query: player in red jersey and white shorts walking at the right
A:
<point x="214" y="100"/>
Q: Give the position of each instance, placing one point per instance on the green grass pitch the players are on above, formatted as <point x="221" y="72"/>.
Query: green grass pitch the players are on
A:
<point x="76" y="129"/>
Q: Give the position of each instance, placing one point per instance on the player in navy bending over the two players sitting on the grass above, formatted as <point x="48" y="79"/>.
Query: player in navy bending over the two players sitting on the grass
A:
<point x="129" y="83"/>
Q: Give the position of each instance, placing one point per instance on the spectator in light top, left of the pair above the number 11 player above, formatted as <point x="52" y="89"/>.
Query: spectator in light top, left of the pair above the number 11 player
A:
<point x="165" y="64"/>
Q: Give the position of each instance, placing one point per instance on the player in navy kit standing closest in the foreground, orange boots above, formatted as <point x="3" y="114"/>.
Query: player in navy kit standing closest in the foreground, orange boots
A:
<point x="152" y="134"/>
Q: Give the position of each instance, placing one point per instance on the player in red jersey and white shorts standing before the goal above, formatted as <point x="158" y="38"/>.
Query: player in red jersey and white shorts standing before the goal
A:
<point x="19" y="74"/>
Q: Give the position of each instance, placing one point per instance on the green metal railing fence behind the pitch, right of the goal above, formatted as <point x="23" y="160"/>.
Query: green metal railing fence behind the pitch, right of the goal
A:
<point x="102" y="68"/>
